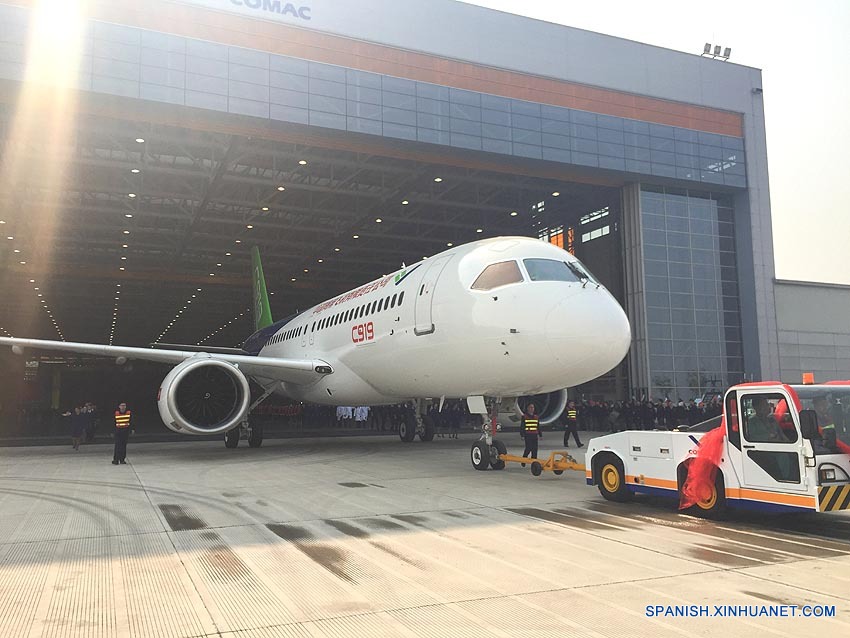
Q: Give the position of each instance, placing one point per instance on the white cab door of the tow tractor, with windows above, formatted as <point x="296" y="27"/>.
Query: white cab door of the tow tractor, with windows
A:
<point x="772" y="450"/>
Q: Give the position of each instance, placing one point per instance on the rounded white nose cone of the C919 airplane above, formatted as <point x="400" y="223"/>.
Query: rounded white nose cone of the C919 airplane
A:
<point x="589" y="330"/>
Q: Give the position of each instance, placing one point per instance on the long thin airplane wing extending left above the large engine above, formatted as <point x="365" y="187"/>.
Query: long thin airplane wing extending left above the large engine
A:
<point x="297" y="371"/>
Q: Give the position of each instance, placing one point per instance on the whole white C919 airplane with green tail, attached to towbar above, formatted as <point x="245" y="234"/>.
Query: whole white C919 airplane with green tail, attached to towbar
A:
<point x="499" y="318"/>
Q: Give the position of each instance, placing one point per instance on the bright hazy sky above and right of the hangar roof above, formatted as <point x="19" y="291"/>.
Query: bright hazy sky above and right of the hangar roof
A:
<point x="803" y="50"/>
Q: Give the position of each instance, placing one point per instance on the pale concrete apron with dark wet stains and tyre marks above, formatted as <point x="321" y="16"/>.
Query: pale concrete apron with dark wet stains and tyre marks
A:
<point x="368" y="536"/>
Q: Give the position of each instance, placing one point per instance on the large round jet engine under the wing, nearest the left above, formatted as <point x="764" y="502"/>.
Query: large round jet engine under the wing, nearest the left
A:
<point x="203" y="395"/>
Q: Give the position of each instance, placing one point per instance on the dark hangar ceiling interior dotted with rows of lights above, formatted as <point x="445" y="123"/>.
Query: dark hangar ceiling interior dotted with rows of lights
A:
<point x="113" y="240"/>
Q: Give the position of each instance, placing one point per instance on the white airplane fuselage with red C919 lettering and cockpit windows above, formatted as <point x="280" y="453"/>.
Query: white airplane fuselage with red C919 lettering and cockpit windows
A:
<point x="425" y="331"/>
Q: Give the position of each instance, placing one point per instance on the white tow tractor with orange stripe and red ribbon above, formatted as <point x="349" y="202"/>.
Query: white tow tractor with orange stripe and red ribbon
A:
<point x="774" y="453"/>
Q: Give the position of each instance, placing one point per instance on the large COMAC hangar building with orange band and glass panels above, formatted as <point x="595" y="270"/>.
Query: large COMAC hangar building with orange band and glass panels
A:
<point x="345" y="138"/>
